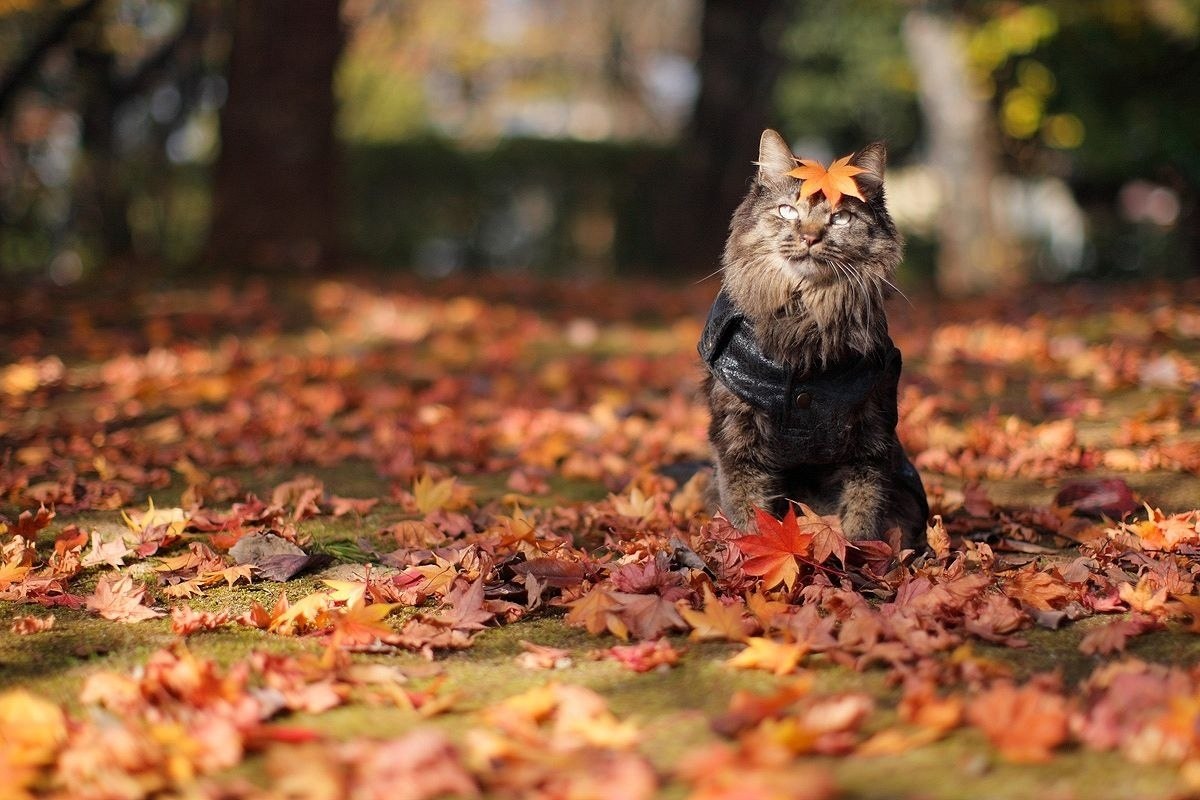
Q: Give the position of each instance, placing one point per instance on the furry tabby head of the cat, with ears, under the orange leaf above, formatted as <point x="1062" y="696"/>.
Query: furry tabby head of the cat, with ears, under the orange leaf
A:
<point x="782" y="244"/>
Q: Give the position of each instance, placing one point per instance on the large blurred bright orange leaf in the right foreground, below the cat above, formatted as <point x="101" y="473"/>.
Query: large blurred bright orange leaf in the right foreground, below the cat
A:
<point x="1024" y="724"/>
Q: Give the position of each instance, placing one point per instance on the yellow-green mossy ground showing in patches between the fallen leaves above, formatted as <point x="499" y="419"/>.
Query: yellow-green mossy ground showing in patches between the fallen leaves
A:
<point x="673" y="707"/>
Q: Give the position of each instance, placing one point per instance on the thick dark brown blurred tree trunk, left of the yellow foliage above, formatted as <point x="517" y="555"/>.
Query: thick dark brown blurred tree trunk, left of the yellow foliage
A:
<point x="275" y="188"/>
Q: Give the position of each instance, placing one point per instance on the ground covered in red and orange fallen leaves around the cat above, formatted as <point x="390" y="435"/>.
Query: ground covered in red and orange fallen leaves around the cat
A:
<point x="338" y="539"/>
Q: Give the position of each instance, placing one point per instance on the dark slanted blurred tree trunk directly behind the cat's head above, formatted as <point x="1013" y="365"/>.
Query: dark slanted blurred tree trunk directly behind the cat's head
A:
<point x="739" y="64"/>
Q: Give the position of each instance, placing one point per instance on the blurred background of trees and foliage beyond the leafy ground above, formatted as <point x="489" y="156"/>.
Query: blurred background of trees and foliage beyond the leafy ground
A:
<point x="1029" y="142"/>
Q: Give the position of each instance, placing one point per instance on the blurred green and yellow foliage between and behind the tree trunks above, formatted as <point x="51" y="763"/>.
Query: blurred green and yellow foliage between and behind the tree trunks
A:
<point x="1101" y="95"/>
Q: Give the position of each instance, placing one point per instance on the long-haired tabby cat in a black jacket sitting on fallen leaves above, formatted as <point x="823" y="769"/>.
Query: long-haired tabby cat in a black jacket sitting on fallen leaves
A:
<point x="802" y="374"/>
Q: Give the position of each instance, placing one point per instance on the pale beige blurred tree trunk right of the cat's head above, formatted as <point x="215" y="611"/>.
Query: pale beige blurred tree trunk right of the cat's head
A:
<point x="976" y="252"/>
